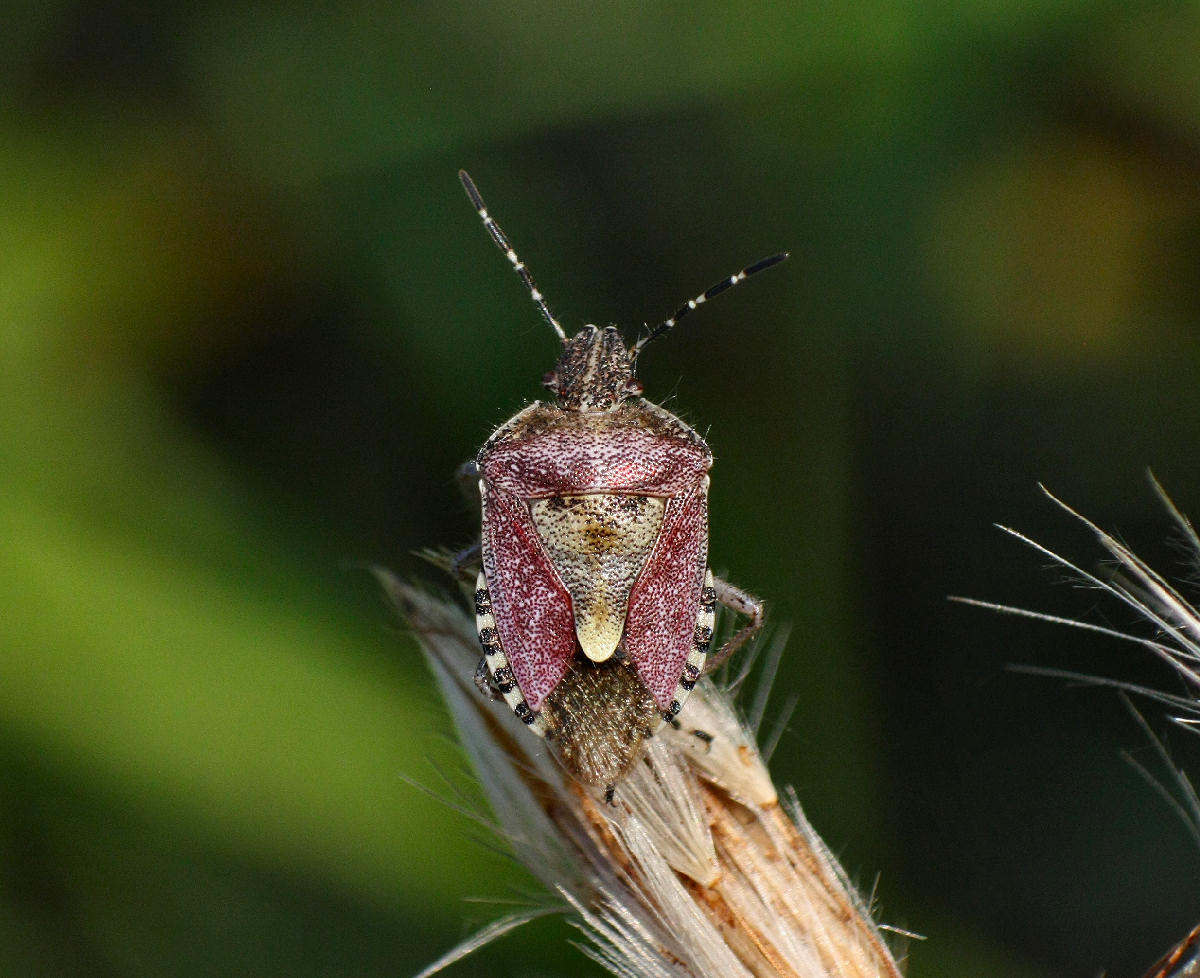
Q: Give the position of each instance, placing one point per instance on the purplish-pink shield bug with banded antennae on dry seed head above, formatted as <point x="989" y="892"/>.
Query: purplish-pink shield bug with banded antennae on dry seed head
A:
<point x="595" y="602"/>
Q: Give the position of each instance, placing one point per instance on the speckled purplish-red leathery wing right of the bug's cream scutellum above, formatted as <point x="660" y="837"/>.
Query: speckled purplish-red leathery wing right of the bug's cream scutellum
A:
<point x="663" y="605"/>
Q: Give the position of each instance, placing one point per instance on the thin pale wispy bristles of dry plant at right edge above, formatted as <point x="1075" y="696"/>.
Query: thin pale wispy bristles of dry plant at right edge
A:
<point x="1175" y="640"/>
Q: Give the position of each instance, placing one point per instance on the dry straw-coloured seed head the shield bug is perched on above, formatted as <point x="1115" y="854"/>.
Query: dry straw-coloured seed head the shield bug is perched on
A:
<point x="697" y="868"/>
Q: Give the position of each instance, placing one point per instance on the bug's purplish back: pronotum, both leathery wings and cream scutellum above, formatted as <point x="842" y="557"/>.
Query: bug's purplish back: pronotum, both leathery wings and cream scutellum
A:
<point x="639" y="452"/>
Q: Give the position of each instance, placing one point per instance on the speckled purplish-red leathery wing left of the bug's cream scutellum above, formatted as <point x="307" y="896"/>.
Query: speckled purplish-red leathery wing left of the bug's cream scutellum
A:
<point x="535" y="620"/>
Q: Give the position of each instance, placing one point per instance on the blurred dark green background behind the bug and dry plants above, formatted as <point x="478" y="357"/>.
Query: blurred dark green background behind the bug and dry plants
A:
<point x="250" y="326"/>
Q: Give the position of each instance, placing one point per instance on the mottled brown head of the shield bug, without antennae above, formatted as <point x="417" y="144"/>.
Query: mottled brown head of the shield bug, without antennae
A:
<point x="596" y="371"/>
